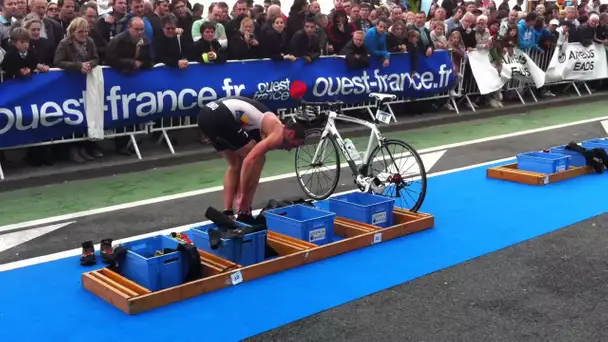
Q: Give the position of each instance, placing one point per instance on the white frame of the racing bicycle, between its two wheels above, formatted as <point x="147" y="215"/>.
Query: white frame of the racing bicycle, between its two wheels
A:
<point x="331" y="131"/>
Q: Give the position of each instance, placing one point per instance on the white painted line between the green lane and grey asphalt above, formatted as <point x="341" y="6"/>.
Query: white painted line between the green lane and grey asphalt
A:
<point x="71" y="216"/>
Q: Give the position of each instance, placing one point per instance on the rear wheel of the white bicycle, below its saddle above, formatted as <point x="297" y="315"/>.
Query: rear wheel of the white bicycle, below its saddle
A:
<point x="401" y="171"/>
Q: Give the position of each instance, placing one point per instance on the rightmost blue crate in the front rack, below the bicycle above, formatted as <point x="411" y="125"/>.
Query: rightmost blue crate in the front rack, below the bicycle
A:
<point x="363" y="207"/>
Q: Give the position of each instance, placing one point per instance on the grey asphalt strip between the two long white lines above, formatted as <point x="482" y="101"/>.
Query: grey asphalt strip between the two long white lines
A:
<point x="154" y="217"/>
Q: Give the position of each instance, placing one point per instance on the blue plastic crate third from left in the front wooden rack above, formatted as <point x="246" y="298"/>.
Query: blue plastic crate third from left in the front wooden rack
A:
<point x="302" y="222"/>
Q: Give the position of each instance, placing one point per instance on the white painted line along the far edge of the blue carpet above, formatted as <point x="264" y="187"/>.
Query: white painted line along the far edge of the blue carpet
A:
<point x="77" y="251"/>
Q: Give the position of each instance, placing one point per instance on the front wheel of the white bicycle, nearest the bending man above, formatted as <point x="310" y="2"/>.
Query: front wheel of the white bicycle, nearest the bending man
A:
<point x="317" y="165"/>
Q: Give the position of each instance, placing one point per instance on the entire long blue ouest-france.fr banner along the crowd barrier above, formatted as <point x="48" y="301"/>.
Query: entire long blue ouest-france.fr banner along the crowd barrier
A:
<point x="52" y="105"/>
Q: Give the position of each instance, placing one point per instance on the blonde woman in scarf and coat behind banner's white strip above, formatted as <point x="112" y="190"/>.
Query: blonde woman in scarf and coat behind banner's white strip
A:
<point x="77" y="52"/>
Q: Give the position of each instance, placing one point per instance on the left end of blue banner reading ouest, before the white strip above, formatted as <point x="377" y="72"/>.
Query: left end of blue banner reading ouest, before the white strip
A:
<point x="42" y="107"/>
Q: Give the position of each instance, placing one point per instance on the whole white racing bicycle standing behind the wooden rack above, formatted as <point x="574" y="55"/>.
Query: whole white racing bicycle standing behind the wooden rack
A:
<point x="389" y="167"/>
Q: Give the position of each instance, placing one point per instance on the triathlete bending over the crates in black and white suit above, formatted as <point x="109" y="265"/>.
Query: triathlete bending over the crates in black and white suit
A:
<point x="243" y="131"/>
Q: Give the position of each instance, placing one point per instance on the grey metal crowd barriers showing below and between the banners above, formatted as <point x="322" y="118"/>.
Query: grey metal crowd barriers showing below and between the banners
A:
<point x="466" y="90"/>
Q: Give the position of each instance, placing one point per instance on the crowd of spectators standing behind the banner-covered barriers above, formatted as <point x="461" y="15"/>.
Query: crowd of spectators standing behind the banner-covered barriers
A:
<point x="135" y="35"/>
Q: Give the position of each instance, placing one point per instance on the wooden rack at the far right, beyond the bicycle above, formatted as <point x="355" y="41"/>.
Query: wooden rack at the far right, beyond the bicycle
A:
<point x="511" y="173"/>
